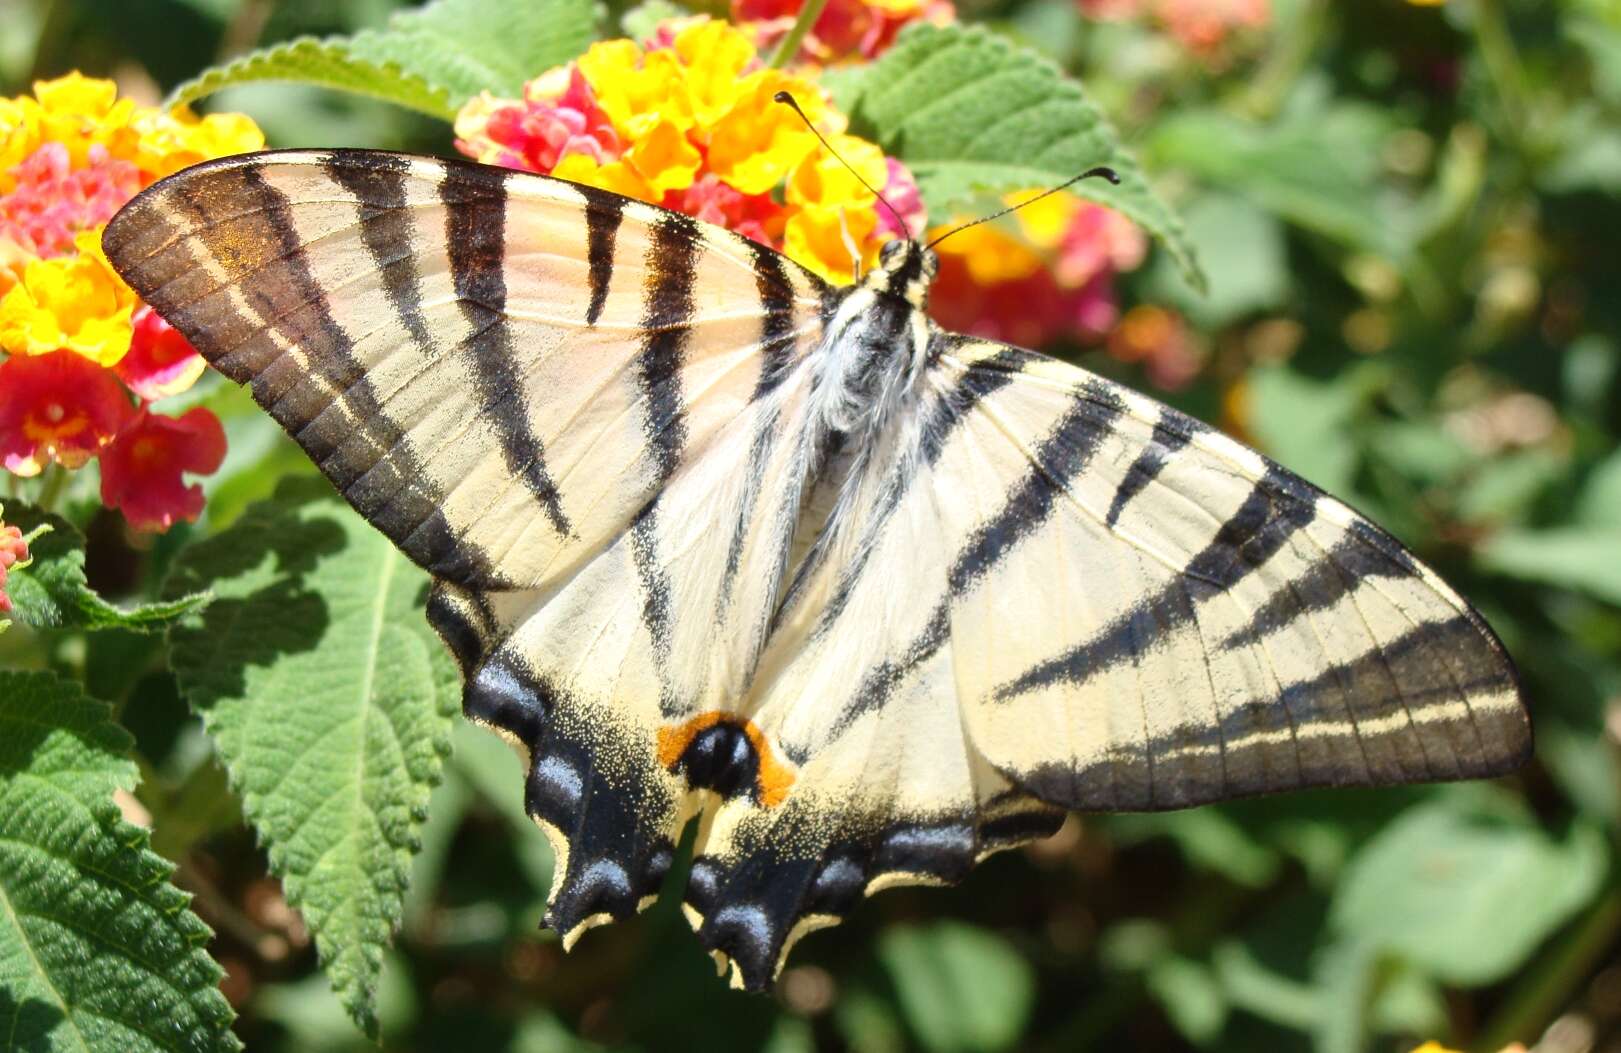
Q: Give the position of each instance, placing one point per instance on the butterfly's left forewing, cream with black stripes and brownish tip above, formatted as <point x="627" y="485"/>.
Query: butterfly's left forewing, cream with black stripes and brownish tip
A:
<point x="498" y="370"/>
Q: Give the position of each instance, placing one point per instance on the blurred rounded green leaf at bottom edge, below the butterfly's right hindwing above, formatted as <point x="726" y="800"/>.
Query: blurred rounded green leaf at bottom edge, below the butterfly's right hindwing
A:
<point x="962" y="989"/>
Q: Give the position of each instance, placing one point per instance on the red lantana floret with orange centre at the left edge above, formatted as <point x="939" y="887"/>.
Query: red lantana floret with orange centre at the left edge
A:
<point x="58" y="407"/>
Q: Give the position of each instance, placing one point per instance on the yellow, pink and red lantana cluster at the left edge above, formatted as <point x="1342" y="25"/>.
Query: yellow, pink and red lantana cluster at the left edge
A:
<point x="85" y="359"/>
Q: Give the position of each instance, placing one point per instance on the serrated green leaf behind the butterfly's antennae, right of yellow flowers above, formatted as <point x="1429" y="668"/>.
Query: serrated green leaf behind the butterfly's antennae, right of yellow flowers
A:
<point x="973" y="114"/>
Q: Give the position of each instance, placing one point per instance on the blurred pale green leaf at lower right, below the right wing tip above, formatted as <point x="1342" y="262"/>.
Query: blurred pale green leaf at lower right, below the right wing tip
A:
<point x="1466" y="893"/>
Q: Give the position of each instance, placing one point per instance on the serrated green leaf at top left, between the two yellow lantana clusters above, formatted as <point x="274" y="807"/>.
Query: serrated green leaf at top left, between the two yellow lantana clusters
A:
<point x="432" y="59"/>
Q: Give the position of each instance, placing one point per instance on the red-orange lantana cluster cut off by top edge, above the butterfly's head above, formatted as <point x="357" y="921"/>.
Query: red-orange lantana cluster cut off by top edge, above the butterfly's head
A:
<point x="845" y="30"/>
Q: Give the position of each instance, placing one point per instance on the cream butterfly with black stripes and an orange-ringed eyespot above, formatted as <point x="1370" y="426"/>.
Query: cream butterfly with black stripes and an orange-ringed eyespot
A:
<point x="714" y="540"/>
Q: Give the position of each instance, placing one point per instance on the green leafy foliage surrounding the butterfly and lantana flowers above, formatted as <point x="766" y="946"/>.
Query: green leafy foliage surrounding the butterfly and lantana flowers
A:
<point x="1406" y="221"/>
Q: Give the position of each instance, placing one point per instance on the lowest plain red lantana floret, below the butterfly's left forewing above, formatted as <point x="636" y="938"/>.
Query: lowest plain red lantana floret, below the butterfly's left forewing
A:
<point x="142" y="469"/>
